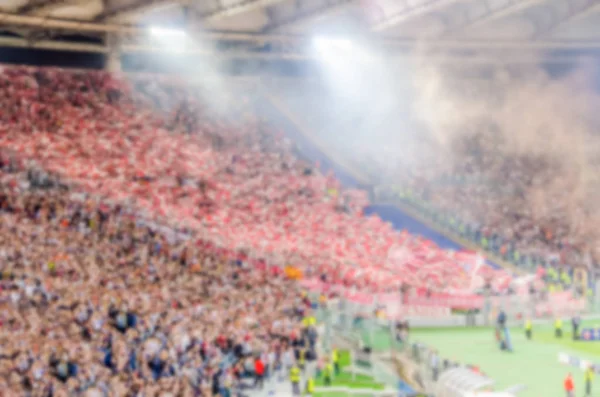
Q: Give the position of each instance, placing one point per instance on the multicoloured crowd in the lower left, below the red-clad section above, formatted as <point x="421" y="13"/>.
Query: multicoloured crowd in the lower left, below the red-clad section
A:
<point x="103" y="303"/>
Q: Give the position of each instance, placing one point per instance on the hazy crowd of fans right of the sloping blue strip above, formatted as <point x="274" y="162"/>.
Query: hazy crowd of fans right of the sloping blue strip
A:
<point x="519" y="205"/>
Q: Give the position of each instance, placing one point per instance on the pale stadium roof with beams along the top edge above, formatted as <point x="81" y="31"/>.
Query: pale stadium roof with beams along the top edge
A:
<point x="457" y="24"/>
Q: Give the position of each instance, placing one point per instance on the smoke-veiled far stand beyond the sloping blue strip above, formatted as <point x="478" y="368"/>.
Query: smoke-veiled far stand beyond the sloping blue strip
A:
<point x="483" y="198"/>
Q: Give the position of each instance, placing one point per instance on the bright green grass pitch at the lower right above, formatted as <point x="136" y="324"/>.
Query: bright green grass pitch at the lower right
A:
<point x="533" y="363"/>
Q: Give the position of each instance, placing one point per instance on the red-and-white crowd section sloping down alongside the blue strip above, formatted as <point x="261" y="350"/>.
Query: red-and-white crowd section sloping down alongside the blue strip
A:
<point x="226" y="174"/>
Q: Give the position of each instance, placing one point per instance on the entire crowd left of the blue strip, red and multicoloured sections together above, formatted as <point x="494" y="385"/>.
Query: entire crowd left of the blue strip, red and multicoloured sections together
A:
<point x="150" y="240"/>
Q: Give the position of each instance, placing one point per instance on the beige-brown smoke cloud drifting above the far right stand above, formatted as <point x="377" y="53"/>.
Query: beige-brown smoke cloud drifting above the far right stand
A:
<point x="530" y="116"/>
